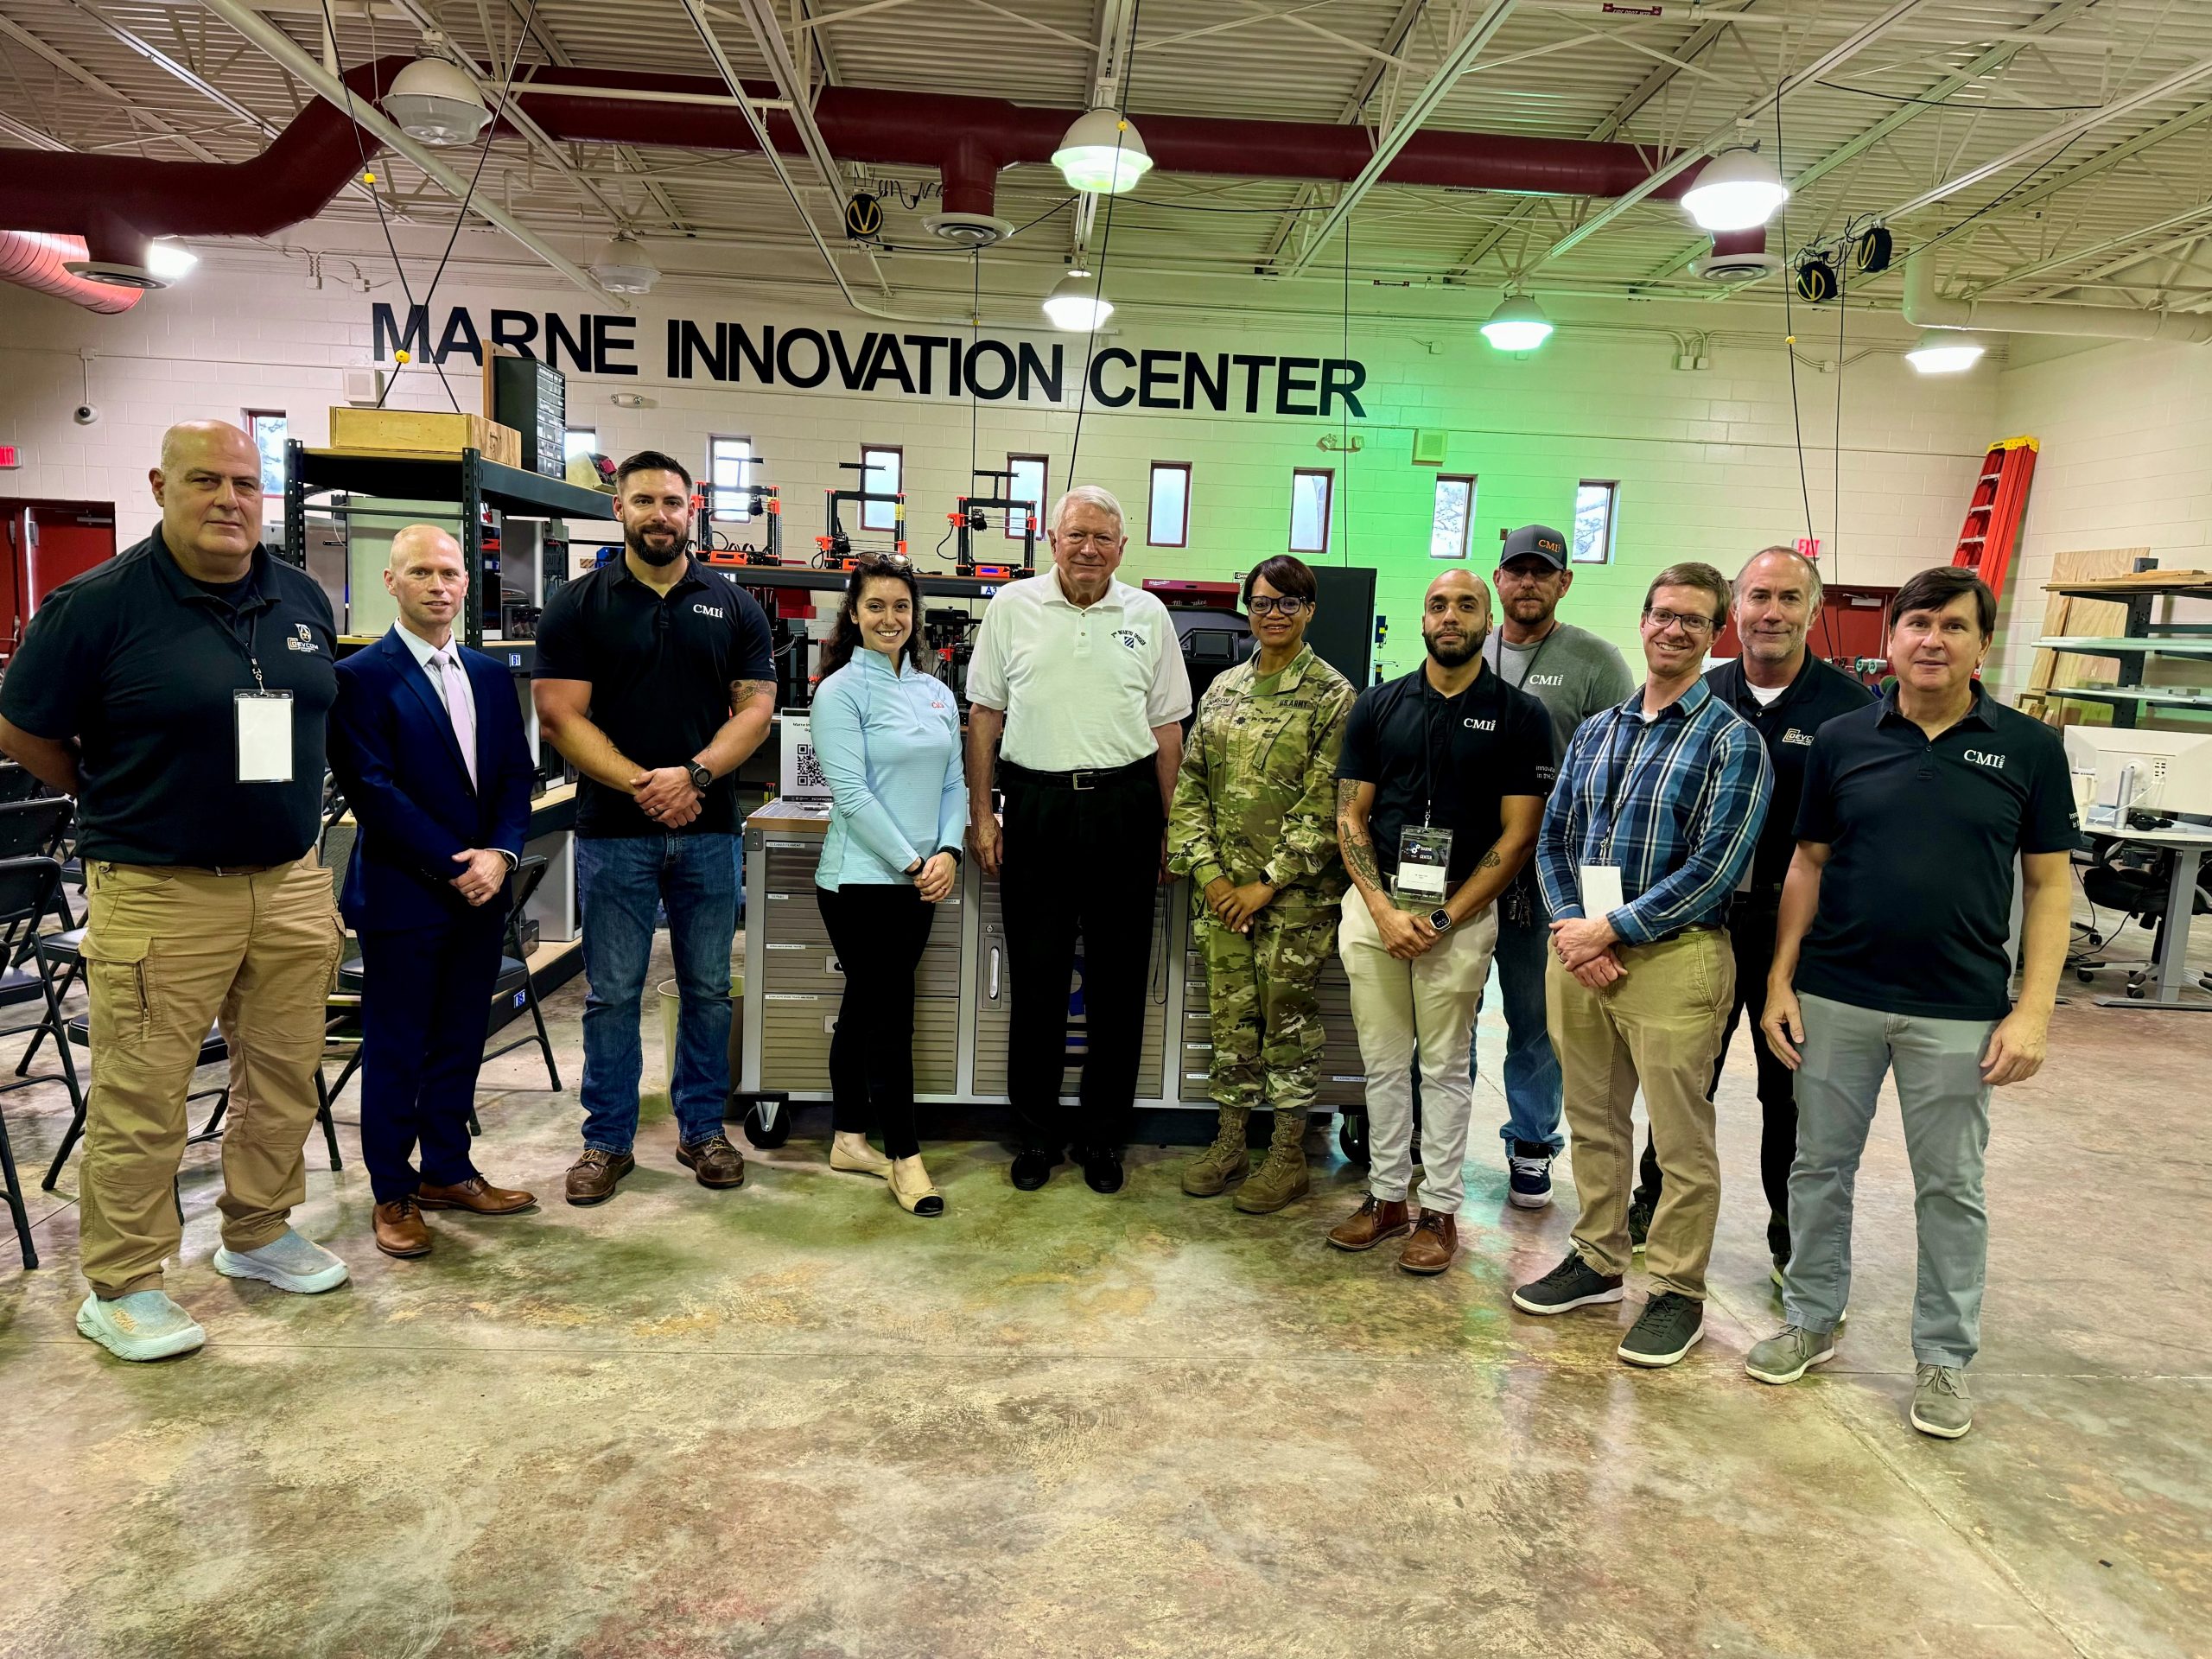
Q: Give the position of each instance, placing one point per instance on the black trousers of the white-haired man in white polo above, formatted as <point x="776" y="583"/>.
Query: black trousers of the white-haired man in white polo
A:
<point x="1078" y="866"/>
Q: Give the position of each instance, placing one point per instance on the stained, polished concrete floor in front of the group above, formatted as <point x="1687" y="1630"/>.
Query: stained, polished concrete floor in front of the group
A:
<point x="795" y="1421"/>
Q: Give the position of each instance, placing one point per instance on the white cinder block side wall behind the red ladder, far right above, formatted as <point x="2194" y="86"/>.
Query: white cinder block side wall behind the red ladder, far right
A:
<point x="2127" y="461"/>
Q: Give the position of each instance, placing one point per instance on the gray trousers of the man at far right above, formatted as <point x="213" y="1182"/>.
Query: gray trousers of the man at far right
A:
<point x="1945" y="1109"/>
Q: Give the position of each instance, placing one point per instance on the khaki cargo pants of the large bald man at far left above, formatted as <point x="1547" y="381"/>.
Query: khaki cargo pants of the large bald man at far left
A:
<point x="167" y="954"/>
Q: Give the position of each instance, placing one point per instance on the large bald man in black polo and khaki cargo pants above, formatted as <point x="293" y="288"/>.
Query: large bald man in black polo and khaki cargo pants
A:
<point x="180" y="691"/>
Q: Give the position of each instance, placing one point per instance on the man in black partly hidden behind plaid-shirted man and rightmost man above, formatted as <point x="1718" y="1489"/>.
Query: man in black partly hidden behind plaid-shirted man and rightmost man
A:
<point x="1788" y="696"/>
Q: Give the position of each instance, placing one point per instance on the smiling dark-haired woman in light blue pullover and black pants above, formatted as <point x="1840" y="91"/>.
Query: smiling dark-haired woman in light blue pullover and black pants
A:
<point x="888" y="738"/>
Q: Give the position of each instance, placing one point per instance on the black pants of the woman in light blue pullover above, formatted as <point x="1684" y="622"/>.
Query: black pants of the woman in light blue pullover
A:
<point x="879" y="935"/>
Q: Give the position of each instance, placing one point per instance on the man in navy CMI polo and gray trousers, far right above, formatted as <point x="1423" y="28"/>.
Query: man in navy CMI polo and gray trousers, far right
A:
<point x="1892" y="957"/>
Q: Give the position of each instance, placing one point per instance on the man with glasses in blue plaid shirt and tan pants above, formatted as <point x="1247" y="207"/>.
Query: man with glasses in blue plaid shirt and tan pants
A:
<point x="1647" y="837"/>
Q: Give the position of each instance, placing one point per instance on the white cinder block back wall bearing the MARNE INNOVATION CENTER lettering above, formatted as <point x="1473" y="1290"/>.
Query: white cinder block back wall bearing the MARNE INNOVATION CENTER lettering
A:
<point x="1707" y="461"/>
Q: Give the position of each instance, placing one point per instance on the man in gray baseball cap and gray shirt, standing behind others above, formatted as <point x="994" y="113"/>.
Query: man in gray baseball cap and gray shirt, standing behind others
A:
<point x="1574" y="674"/>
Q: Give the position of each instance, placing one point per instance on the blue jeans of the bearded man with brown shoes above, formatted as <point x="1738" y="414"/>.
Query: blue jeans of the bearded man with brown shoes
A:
<point x="620" y="884"/>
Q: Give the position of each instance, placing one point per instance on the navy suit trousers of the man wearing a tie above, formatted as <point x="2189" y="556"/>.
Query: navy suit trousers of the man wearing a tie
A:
<point x="424" y="1014"/>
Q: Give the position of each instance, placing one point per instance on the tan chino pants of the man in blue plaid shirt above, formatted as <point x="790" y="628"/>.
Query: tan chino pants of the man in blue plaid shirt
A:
<point x="1658" y="1027"/>
